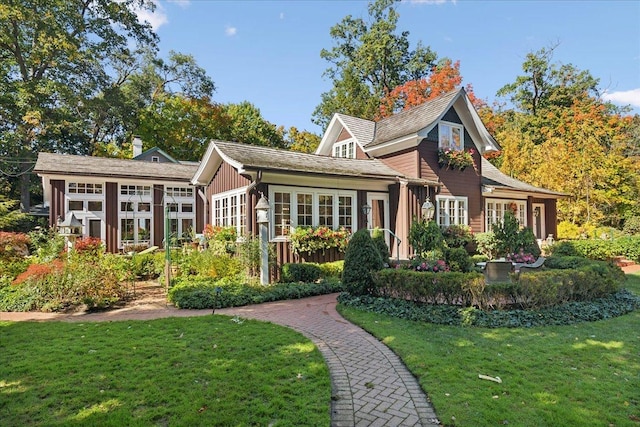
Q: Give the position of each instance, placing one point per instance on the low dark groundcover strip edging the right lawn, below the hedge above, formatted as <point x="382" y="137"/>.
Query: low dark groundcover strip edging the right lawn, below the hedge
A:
<point x="614" y="305"/>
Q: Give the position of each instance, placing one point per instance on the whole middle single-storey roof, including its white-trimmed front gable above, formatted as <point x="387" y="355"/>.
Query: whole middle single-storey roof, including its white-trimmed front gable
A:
<point x="246" y="157"/>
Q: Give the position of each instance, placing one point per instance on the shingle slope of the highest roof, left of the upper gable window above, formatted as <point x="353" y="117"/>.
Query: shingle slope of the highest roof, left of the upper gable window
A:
<point x="412" y="120"/>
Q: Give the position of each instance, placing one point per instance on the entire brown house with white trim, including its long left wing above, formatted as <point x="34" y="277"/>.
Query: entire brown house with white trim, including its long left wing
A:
<point x="364" y="174"/>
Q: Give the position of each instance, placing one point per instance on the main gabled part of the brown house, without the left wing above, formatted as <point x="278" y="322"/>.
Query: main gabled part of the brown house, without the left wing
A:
<point x="373" y="174"/>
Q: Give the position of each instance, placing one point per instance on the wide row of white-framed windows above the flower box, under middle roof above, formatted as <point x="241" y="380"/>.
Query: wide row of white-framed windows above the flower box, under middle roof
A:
<point x="298" y="207"/>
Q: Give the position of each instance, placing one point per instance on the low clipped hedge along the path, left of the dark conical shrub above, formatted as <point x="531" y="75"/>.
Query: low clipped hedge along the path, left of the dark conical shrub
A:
<point x="200" y="293"/>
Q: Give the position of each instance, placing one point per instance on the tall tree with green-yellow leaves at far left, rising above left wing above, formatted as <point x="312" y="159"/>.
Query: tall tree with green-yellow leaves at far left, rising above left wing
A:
<point x="55" y="55"/>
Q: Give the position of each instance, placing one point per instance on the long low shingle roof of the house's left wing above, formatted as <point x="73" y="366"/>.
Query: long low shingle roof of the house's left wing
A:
<point x="67" y="164"/>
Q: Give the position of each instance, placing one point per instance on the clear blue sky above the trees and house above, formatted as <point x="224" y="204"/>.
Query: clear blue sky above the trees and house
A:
<point x="268" y="52"/>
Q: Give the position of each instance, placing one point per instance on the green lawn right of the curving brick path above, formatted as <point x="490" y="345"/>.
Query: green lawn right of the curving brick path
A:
<point x="584" y="374"/>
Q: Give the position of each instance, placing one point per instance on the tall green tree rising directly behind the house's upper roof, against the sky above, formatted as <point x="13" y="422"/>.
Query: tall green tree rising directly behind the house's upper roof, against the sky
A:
<point x="368" y="61"/>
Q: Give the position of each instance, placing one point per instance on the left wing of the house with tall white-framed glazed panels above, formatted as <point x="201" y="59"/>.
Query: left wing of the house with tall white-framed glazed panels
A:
<point x="125" y="202"/>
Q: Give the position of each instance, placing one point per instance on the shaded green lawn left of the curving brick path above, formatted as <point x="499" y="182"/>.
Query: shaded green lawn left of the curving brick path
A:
<point x="200" y="371"/>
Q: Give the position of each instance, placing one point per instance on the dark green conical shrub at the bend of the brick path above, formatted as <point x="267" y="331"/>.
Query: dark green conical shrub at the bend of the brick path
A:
<point x="361" y="260"/>
